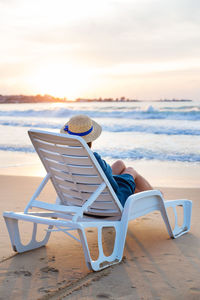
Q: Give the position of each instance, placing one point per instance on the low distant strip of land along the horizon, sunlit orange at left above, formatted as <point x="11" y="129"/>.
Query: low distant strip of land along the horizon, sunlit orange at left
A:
<point x="50" y="99"/>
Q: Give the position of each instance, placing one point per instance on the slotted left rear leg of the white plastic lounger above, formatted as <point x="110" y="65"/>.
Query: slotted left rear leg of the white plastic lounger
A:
<point x="13" y="229"/>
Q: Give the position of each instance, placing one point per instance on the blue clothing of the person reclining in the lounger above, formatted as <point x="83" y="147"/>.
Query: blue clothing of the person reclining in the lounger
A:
<point x="123" y="185"/>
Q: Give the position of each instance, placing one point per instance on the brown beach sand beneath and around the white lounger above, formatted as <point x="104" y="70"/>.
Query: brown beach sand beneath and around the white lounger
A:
<point x="154" y="266"/>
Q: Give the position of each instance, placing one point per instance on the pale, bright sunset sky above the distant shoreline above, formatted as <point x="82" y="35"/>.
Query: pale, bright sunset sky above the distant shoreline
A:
<point x="138" y="49"/>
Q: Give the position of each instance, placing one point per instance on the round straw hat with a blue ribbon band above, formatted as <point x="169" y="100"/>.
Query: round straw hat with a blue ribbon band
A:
<point x="83" y="126"/>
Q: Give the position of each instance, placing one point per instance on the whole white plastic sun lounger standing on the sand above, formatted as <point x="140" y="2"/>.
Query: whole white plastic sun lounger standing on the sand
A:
<point x="84" y="194"/>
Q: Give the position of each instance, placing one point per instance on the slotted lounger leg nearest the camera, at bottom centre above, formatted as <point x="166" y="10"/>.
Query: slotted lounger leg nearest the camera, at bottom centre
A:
<point x="102" y="261"/>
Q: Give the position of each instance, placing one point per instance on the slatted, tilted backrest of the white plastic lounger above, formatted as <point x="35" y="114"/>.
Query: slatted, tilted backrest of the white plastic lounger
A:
<point x="75" y="172"/>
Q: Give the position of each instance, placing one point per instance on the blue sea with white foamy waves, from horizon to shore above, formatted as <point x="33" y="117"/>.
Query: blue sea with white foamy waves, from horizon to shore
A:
<point x="153" y="136"/>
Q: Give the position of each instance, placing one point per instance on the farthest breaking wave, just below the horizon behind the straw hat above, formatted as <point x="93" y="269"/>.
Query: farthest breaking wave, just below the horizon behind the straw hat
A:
<point x="181" y="113"/>
